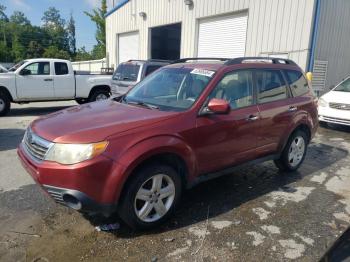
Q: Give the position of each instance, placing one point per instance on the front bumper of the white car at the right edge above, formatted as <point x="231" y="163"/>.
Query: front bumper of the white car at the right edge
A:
<point x="334" y="116"/>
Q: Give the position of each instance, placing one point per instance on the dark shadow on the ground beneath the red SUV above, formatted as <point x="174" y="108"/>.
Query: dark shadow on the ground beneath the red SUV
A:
<point x="224" y="194"/>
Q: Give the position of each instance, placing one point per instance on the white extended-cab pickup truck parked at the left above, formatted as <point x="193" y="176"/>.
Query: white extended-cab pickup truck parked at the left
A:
<point x="35" y="80"/>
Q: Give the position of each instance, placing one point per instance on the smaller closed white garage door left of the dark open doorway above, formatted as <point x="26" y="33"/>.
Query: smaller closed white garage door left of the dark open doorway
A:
<point x="128" y="46"/>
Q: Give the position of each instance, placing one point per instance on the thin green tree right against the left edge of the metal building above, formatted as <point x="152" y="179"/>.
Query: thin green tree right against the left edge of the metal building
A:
<point x="98" y="17"/>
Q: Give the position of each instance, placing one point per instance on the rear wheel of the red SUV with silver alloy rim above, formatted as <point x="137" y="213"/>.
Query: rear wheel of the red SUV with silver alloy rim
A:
<point x="290" y="161"/>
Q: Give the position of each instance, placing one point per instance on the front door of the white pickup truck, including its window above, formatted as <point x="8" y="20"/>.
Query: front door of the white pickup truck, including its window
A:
<point x="35" y="82"/>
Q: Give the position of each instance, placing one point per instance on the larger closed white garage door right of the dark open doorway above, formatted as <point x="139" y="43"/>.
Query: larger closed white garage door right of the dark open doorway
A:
<point x="223" y="36"/>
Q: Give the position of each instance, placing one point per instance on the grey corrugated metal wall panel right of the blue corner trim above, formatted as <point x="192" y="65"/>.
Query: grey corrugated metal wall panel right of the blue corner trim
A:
<point x="333" y="40"/>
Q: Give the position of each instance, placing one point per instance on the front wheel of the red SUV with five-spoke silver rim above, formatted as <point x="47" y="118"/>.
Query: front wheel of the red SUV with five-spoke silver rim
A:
<point x="156" y="210"/>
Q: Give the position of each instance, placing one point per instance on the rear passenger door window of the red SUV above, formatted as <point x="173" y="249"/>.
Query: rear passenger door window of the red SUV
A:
<point x="271" y="86"/>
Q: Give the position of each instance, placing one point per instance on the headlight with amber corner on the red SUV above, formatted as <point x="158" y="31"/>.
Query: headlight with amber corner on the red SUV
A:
<point x="69" y="154"/>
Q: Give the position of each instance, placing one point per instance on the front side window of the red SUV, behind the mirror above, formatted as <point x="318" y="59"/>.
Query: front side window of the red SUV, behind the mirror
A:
<point x="236" y="88"/>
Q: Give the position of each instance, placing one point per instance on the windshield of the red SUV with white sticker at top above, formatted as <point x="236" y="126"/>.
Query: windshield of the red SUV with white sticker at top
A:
<point x="171" y="89"/>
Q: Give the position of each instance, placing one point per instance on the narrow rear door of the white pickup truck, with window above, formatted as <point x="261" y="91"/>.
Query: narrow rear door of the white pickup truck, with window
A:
<point x="64" y="83"/>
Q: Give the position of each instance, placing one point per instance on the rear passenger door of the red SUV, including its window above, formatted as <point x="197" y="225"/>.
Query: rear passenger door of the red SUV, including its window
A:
<point x="276" y="107"/>
